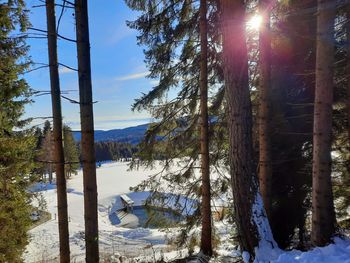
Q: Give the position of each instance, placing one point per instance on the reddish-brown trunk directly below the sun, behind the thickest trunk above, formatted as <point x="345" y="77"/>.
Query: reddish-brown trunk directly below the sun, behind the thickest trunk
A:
<point x="265" y="163"/>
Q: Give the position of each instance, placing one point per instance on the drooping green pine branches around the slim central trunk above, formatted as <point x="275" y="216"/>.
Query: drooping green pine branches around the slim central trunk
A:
<point x="171" y="33"/>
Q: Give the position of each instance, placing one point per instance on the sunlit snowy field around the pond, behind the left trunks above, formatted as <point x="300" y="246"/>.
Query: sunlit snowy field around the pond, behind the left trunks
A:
<point x="112" y="179"/>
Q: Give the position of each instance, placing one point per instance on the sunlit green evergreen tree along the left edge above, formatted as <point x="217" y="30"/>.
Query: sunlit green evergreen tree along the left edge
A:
<point x="16" y="146"/>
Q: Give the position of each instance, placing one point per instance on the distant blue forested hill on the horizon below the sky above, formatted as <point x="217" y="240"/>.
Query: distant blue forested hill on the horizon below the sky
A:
<point x="131" y="135"/>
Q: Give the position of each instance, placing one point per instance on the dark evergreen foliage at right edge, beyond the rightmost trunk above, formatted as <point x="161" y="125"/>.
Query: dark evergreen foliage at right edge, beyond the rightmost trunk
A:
<point x="341" y="114"/>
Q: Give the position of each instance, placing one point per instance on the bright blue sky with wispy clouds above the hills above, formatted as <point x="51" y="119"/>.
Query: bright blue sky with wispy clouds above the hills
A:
<point x="118" y="70"/>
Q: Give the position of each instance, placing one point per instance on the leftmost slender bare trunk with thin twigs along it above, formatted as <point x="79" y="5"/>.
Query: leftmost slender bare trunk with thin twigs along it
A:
<point x="57" y="134"/>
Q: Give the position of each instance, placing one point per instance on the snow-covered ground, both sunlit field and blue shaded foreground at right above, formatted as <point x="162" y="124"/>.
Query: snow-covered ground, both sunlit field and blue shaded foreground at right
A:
<point x="141" y="244"/>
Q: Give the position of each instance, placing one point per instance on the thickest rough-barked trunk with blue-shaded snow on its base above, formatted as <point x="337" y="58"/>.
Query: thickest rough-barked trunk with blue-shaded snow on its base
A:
<point x="252" y="224"/>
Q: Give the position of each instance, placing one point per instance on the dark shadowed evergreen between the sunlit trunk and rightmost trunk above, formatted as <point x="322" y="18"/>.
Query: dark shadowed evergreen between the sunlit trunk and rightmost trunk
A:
<point x="291" y="98"/>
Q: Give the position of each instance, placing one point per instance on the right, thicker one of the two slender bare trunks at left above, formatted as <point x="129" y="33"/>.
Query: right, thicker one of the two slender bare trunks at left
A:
<point x="87" y="132"/>
